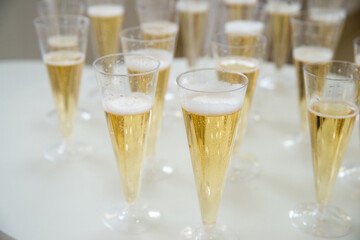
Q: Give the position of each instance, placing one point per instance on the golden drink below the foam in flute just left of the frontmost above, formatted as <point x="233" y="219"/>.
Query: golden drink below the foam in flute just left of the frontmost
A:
<point x="128" y="136"/>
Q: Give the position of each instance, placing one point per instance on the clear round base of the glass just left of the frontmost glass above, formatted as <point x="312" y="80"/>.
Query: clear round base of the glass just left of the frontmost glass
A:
<point x="133" y="221"/>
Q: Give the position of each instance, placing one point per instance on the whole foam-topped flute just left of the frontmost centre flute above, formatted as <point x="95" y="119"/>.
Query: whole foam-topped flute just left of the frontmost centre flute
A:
<point x="128" y="84"/>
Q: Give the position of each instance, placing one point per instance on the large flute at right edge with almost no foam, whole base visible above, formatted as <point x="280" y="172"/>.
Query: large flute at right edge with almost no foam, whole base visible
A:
<point x="332" y="98"/>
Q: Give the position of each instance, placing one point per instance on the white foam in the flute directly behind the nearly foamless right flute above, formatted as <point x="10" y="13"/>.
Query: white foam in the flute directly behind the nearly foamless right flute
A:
<point x="313" y="54"/>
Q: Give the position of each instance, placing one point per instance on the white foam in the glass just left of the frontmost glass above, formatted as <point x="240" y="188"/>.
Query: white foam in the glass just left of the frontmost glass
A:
<point x="134" y="103"/>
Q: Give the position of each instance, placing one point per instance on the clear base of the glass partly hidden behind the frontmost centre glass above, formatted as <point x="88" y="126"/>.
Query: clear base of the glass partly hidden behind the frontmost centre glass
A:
<point x="243" y="167"/>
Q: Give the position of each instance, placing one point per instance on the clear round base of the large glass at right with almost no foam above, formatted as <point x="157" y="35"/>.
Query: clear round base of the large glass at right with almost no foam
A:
<point x="326" y="222"/>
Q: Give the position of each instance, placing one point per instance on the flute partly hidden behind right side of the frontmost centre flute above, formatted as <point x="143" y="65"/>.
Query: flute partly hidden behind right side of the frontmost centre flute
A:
<point x="230" y="53"/>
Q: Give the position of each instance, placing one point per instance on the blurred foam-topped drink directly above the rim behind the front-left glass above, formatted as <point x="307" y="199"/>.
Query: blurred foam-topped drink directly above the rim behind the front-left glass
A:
<point x="160" y="30"/>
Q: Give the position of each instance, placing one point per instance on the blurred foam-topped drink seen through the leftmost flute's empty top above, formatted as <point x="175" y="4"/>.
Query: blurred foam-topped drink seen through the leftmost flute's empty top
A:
<point x="62" y="43"/>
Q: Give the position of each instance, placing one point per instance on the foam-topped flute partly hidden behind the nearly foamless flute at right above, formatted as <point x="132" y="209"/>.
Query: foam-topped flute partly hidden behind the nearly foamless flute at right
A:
<point x="313" y="41"/>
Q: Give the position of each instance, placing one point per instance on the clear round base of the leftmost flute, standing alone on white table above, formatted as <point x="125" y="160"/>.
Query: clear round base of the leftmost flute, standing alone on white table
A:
<point x="63" y="152"/>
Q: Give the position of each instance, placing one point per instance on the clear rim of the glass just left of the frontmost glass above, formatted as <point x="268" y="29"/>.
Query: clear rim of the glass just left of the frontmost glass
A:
<point x="98" y="70"/>
